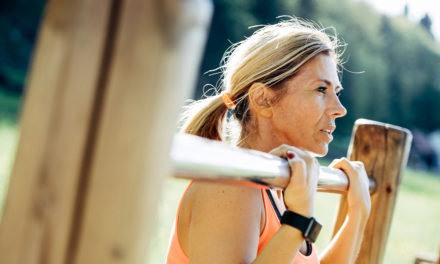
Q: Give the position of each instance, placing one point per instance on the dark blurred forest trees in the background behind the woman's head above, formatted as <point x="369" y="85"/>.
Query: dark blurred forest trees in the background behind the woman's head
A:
<point x="391" y="73"/>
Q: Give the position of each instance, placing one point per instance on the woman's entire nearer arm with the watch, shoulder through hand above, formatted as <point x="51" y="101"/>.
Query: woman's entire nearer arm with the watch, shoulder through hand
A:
<point x="226" y="220"/>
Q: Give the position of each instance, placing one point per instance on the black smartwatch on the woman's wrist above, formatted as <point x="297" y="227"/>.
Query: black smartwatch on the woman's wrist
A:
<point x="310" y="227"/>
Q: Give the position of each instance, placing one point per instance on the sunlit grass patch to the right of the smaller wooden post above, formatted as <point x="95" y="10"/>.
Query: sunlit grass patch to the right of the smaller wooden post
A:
<point x="416" y="224"/>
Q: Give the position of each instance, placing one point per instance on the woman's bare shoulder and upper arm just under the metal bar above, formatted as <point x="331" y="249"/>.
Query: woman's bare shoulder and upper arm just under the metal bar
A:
<point x="221" y="217"/>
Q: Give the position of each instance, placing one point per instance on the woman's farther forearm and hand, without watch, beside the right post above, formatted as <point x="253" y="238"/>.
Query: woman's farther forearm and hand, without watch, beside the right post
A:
<point x="345" y="246"/>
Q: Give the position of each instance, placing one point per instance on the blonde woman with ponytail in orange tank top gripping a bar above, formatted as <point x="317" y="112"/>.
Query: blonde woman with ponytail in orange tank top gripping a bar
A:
<point x="282" y="87"/>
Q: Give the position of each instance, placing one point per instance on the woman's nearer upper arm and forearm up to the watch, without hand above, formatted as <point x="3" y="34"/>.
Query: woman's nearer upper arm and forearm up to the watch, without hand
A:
<point x="225" y="227"/>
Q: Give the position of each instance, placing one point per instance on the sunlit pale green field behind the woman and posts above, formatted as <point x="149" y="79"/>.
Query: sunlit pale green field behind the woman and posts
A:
<point x="415" y="228"/>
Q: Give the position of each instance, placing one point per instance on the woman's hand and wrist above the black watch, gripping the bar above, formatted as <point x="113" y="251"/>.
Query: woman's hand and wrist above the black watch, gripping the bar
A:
<point x="299" y="195"/>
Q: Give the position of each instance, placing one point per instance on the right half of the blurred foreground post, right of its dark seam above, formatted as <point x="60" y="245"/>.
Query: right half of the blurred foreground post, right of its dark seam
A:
<point x="158" y="47"/>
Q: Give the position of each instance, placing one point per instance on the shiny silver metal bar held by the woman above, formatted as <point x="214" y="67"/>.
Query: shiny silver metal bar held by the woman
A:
<point x="195" y="157"/>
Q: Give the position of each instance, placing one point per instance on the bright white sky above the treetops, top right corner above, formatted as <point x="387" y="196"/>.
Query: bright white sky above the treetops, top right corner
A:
<point x="417" y="10"/>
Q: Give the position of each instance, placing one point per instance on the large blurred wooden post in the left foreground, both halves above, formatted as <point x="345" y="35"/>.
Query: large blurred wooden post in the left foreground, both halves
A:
<point x="106" y="83"/>
